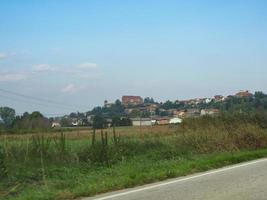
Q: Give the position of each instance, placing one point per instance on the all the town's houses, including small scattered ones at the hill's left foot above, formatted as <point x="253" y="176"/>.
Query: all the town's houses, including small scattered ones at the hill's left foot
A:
<point x="172" y="116"/>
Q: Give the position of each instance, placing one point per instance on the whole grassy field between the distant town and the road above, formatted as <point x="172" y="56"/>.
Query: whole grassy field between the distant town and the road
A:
<point x="74" y="164"/>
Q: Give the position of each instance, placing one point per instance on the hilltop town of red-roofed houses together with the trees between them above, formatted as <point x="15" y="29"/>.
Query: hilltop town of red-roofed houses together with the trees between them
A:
<point x="136" y="111"/>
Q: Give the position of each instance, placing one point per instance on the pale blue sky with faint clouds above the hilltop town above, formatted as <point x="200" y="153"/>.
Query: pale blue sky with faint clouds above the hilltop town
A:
<point x="80" y="53"/>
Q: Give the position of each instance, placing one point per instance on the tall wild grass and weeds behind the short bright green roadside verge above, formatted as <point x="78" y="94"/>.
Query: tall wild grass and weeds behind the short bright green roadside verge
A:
<point x="39" y="158"/>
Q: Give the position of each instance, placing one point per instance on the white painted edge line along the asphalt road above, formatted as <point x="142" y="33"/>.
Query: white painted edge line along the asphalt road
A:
<point x="181" y="179"/>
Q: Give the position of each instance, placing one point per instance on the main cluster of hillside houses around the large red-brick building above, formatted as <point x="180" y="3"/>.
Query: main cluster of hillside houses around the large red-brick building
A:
<point x="175" y="116"/>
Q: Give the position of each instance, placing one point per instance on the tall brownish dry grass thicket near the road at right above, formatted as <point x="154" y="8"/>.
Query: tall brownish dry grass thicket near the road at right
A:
<point x="224" y="133"/>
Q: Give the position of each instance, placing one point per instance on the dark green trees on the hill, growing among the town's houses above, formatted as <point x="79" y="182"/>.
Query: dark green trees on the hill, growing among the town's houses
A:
<point x="255" y="103"/>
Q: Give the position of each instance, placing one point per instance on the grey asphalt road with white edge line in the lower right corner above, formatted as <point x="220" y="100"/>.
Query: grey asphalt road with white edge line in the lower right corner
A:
<point x="246" y="181"/>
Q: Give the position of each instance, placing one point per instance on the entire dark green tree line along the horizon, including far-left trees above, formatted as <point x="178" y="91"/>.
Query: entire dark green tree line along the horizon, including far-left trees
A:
<point x="115" y="115"/>
